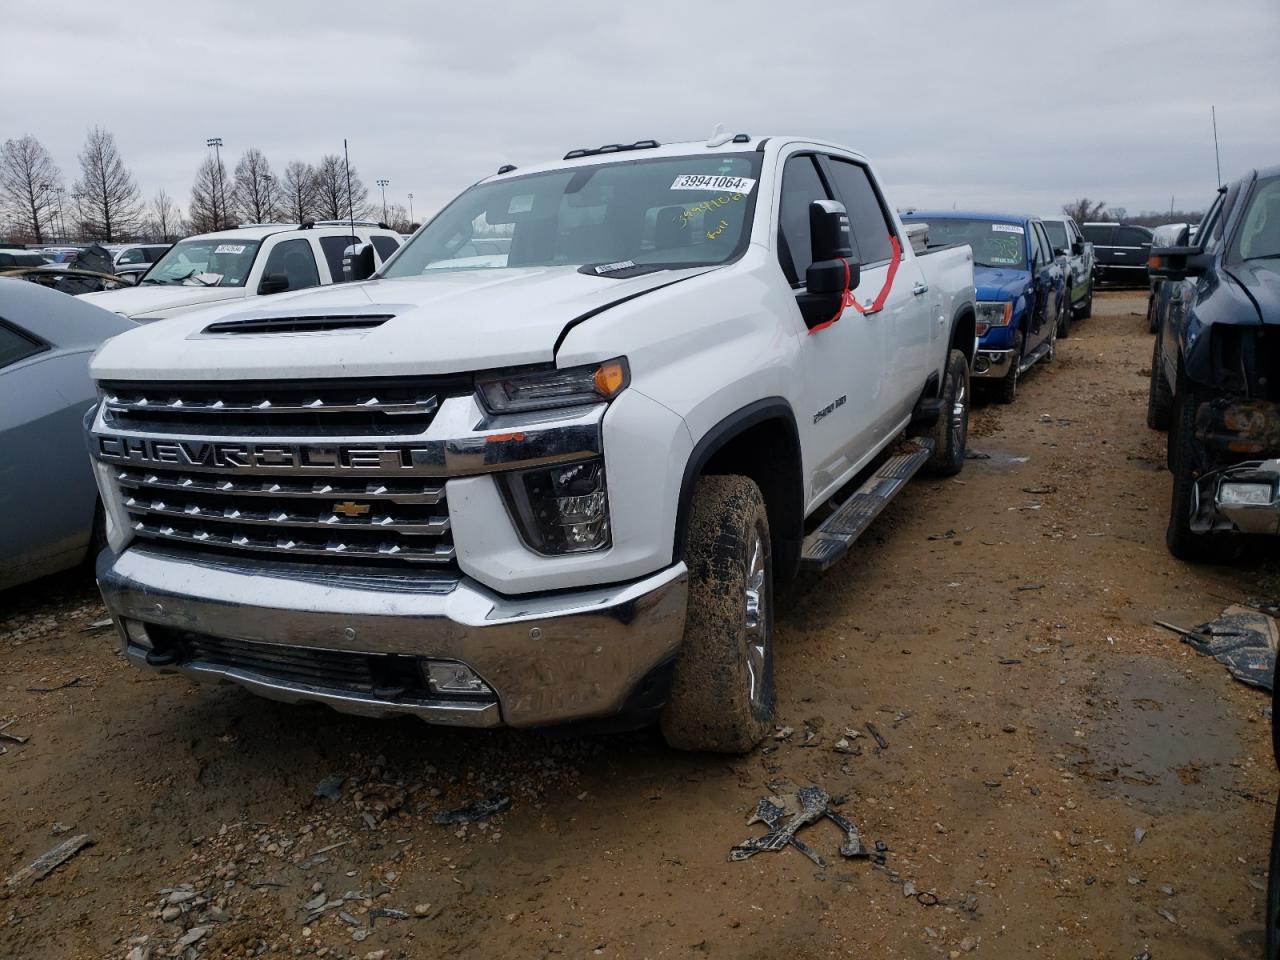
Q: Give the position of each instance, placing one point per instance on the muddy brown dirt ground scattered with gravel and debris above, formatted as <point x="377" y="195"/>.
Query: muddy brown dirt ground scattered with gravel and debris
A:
<point x="1063" y="778"/>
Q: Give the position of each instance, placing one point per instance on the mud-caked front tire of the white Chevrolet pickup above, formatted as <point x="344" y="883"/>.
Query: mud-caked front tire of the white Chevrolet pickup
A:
<point x="723" y="693"/>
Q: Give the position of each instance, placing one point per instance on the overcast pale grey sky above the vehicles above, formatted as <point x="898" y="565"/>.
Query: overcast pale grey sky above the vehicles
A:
<point x="1017" y="106"/>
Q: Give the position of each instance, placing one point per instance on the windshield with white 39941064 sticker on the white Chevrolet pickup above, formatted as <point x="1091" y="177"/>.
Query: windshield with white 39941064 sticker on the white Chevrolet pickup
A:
<point x="620" y="218"/>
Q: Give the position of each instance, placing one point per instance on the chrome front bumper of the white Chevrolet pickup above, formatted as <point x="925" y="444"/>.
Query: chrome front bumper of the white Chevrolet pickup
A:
<point x="548" y="660"/>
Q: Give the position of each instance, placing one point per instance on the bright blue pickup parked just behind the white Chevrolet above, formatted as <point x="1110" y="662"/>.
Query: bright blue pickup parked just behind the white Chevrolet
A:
<point x="1022" y="290"/>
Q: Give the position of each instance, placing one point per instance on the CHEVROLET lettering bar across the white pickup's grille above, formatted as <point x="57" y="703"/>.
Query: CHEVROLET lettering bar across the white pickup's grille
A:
<point x="250" y="456"/>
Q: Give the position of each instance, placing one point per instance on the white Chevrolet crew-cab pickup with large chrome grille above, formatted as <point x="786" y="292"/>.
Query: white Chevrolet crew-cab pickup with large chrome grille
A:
<point x="548" y="481"/>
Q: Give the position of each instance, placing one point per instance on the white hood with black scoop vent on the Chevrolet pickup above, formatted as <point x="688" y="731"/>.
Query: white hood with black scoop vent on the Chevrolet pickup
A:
<point x="441" y="323"/>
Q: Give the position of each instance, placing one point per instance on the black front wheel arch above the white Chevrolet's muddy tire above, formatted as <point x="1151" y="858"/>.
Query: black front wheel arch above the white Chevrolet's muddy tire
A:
<point x="762" y="442"/>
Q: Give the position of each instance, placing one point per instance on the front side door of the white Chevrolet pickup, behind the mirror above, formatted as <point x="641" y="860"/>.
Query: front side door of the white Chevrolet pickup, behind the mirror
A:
<point x="842" y="365"/>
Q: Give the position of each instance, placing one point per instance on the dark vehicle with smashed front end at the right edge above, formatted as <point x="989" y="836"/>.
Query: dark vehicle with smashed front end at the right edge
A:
<point x="1215" y="372"/>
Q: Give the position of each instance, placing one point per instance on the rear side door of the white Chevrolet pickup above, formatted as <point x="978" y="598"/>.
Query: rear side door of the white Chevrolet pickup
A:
<point x="903" y="327"/>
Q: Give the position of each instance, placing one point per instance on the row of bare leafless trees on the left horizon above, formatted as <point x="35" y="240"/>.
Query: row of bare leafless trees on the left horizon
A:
<point x="106" y="203"/>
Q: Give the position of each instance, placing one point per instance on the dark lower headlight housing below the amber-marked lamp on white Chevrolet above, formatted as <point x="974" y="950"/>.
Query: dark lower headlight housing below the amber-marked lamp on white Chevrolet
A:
<point x="563" y="509"/>
